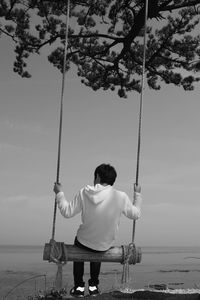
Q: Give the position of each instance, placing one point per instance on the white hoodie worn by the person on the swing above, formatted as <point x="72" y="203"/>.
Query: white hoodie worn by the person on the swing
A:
<point x="101" y="208"/>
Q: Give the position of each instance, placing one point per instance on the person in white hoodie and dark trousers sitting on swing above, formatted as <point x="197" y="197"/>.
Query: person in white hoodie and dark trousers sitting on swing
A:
<point x="101" y="207"/>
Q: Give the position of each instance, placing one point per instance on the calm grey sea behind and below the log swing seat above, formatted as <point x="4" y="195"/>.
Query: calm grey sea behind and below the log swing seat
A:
<point x="24" y="273"/>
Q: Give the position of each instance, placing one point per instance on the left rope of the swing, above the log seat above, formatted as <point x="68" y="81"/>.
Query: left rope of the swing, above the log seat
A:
<point x="61" y="114"/>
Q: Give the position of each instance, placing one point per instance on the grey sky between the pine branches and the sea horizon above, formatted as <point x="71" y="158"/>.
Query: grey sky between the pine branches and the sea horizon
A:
<point x="98" y="127"/>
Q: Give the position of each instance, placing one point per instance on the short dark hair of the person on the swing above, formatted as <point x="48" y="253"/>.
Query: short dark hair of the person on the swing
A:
<point x="107" y="174"/>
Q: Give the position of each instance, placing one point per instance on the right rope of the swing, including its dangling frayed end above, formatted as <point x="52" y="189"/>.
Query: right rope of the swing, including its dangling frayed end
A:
<point x="125" y="274"/>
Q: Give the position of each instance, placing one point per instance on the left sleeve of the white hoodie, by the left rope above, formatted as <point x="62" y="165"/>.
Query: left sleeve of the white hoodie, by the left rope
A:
<point x="69" y="209"/>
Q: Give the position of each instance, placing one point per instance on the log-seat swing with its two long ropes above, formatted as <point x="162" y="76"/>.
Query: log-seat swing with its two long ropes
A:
<point x="59" y="252"/>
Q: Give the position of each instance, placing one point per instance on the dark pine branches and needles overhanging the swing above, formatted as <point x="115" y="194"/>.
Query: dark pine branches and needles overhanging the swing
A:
<point x="106" y="40"/>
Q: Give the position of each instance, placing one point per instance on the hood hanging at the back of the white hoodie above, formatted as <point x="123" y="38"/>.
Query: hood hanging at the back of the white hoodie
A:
<point x="97" y="193"/>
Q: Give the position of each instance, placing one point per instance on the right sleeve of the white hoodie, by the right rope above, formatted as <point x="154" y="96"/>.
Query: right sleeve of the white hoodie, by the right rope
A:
<point x="132" y="211"/>
